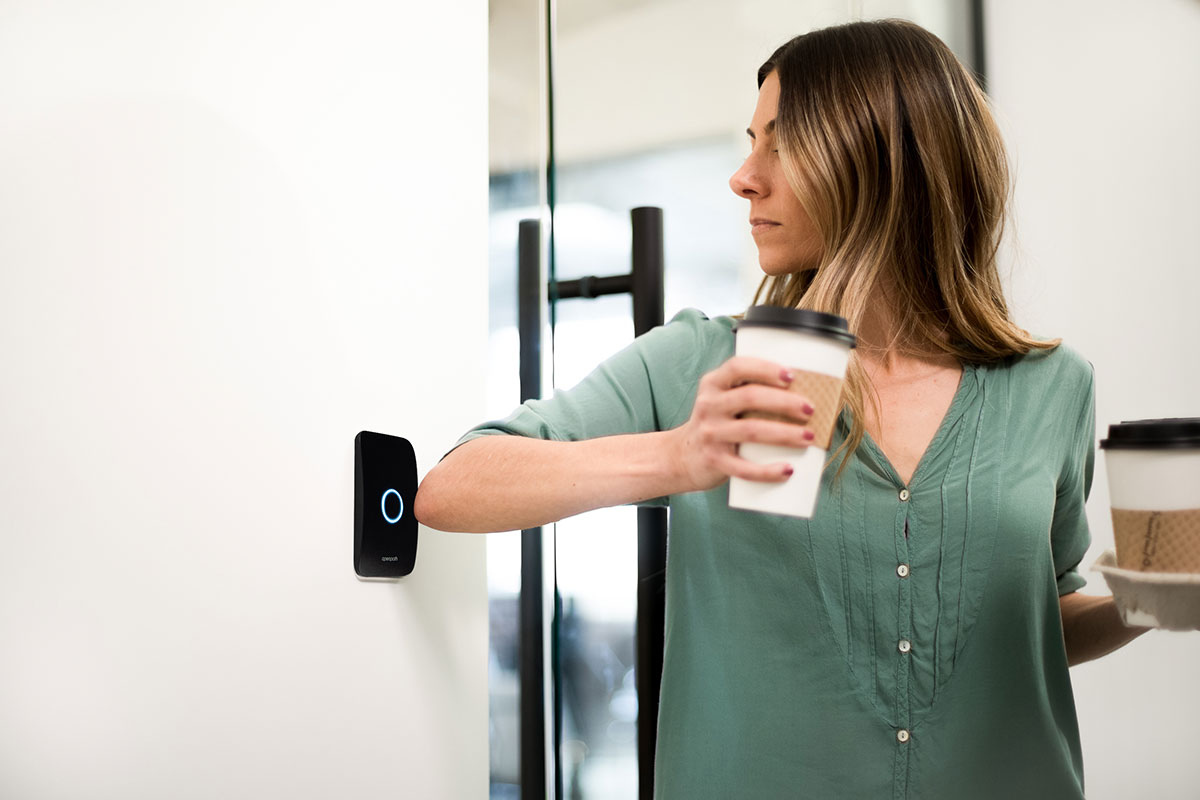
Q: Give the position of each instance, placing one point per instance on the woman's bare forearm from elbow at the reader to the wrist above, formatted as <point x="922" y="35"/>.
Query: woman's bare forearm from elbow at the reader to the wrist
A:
<point x="507" y="483"/>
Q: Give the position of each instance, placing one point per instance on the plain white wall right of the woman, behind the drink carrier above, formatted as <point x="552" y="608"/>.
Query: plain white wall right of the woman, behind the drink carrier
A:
<point x="1101" y="106"/>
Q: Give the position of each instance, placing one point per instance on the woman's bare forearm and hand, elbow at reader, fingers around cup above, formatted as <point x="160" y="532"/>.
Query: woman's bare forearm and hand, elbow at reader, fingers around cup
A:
<point x="511" y="483"/>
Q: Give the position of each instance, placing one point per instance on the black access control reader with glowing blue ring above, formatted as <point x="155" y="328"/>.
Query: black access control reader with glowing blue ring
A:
<point x="385" y="492"/>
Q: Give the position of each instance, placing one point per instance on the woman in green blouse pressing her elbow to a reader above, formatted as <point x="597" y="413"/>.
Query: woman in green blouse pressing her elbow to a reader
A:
<point x="914" y="639"/>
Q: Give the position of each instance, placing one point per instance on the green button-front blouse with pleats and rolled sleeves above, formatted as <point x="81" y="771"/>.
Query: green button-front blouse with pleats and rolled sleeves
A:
<point x="907" y="642"/>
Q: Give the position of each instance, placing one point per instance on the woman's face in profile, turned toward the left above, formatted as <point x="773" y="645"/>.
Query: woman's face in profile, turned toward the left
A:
<point x="783" y="231"/>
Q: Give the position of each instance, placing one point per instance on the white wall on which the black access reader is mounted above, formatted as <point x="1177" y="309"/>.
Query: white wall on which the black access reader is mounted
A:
<point x="235" y="233"/>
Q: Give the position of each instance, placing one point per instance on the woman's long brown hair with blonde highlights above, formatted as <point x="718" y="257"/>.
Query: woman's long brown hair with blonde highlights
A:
<point x="891" y="148"/>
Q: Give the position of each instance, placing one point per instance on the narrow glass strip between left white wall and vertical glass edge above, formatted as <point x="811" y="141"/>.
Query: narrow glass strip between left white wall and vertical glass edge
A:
<point x="519" y="147"/>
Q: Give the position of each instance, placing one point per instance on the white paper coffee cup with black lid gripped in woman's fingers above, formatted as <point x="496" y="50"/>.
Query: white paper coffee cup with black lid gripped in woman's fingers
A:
<point x="817" y="347"/>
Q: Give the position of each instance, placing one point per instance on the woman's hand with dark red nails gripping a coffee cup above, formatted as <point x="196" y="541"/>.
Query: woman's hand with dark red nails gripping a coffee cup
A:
<point x="706" y="446"/>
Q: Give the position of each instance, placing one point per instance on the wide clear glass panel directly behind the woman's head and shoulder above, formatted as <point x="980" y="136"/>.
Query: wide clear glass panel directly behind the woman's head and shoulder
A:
<point x="652" y="100"/>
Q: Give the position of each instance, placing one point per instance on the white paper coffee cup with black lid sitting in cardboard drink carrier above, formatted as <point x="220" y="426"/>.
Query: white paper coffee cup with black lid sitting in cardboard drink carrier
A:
<point x="1154" y="470"/>
